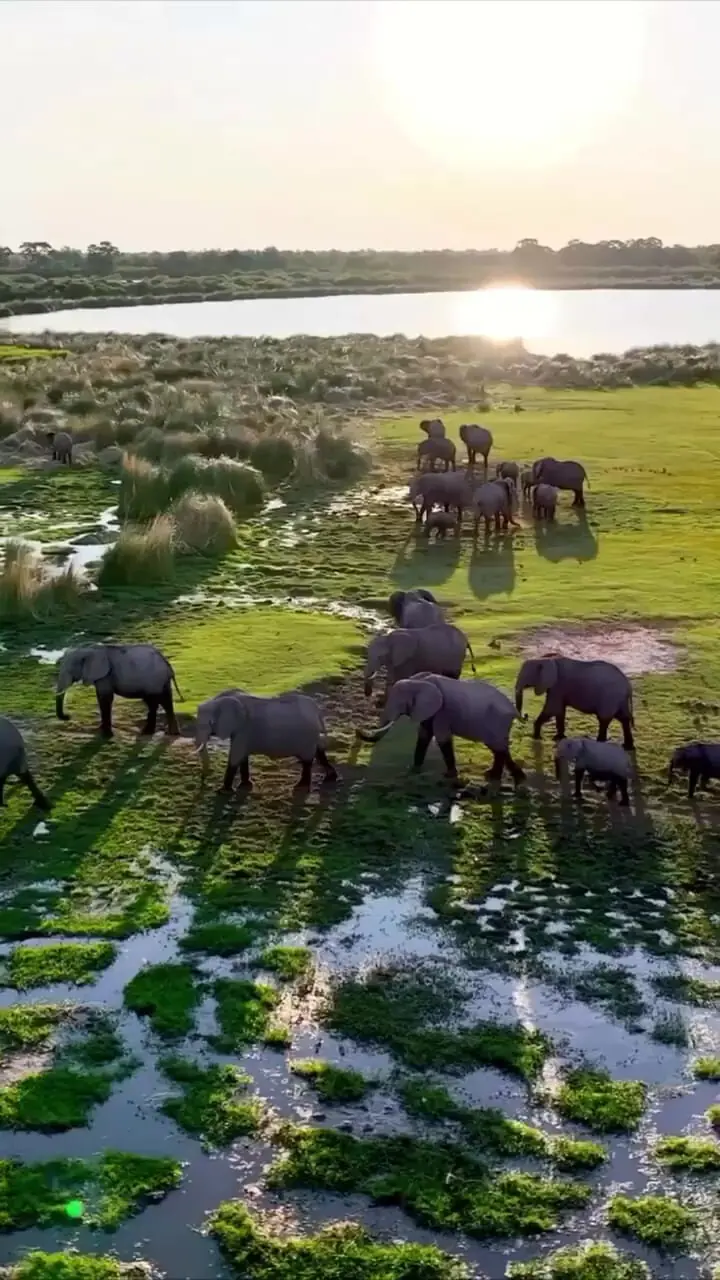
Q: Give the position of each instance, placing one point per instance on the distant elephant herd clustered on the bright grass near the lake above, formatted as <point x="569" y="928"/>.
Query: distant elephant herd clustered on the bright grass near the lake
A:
<point x="435" y="492"/>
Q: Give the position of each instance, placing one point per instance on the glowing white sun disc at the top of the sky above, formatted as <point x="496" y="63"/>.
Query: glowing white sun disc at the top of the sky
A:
<point x="514" y="84"/>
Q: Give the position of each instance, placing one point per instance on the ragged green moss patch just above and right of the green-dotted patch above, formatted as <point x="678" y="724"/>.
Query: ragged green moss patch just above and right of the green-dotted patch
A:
<point x="211" y="1107"/>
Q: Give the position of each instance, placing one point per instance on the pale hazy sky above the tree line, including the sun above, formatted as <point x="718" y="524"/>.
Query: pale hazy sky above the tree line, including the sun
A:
<point x="359" y="124"/>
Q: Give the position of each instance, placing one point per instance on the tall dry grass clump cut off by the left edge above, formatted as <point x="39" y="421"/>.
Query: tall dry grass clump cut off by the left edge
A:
<point x="31" y="589"/>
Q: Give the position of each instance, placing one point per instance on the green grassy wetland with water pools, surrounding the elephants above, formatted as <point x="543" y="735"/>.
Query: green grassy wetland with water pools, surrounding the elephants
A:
<point x="390" y="1030"/>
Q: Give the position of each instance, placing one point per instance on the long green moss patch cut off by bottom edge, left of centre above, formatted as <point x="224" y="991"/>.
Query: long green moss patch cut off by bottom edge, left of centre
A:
<point x="341" y="1252"/>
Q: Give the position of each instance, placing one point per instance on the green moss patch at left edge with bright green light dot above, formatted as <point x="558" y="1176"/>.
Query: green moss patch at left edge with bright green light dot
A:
<point x="110" y="1190"/>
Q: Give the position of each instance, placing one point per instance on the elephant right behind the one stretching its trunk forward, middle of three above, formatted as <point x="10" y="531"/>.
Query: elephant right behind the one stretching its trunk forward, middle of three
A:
<point x="405" y="652"/>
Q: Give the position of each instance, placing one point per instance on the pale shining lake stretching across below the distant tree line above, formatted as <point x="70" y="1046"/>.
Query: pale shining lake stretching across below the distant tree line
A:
<point x="580" y="322"/>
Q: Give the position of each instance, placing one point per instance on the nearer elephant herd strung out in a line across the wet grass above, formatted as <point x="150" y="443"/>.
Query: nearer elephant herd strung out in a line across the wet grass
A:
<point x="423" y="660"/>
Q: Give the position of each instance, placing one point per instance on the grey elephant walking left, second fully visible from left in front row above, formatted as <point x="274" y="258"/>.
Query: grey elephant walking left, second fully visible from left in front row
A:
<point x="288" y="725"/>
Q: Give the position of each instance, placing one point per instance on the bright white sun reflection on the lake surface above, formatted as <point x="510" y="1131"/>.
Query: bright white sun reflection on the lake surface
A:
<point x="507" y="312"/>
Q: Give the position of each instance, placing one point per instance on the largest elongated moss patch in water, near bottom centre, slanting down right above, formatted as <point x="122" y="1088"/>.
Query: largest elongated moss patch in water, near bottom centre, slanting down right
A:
<point x="440" y="1186"/>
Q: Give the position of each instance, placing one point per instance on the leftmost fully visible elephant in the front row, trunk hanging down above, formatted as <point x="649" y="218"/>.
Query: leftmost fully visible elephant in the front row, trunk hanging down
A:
<point x="125" y="670"/>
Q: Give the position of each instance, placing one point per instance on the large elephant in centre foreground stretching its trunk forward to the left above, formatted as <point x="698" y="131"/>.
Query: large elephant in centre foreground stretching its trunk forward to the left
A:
<point x="444" y="707"/>
